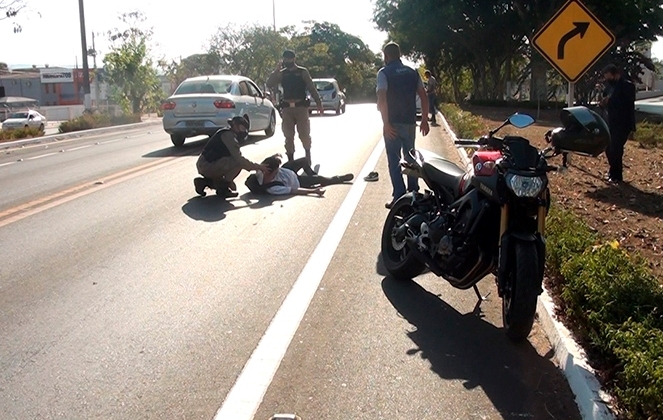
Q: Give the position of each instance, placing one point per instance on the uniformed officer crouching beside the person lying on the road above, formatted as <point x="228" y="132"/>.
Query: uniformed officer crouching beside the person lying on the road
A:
<point x="221" y="160"/>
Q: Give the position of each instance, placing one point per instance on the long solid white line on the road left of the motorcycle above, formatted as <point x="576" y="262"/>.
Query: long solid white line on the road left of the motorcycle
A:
<point x="247" y="393"/>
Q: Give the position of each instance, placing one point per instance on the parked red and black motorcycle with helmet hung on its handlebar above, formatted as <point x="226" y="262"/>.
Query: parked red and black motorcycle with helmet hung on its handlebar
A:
<point x="490" y="219"/>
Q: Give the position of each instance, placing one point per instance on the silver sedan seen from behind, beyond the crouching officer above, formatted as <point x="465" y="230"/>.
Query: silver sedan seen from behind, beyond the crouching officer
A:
<point x="203" y="104"/>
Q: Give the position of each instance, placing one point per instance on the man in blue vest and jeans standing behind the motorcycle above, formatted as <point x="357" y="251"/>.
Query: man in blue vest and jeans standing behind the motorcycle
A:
<point x="397" y="87"/>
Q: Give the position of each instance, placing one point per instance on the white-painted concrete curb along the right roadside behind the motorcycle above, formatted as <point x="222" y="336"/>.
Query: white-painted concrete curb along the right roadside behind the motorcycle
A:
<point x="592" y="402"/>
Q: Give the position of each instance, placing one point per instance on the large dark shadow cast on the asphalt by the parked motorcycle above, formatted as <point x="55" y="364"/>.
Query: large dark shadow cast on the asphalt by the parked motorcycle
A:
<point x="518" y="381"/>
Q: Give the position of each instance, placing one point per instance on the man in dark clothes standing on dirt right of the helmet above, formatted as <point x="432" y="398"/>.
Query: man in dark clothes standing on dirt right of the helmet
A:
<point x="620" y="106"/>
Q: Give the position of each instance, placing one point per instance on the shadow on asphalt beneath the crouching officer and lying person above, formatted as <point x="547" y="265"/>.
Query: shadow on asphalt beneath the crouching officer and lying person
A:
<point x="213" y="208"/>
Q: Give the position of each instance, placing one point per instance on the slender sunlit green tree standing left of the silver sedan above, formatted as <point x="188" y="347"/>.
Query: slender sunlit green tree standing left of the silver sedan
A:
<point x="129" y="69"/>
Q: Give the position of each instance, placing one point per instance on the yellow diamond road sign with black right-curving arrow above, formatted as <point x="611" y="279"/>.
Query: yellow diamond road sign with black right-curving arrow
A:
<point x="573" y="40"/>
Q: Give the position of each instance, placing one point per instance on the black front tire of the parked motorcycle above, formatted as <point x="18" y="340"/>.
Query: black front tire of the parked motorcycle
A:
<point x="519" y="300"/>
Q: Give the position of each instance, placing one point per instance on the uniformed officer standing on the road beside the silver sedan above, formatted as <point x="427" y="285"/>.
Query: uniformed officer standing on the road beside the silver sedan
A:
<point x="295" y="81"/>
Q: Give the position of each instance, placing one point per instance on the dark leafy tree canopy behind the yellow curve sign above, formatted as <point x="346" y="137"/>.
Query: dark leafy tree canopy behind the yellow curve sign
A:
<point x="489" y="38"/>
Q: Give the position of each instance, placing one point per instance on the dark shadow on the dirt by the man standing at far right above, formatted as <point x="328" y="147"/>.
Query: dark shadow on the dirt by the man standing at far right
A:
<point x="628" y="196"/>
